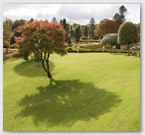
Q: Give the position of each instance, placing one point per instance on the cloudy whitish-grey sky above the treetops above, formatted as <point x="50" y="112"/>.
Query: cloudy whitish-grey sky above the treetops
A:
<point x="73" y="13"/>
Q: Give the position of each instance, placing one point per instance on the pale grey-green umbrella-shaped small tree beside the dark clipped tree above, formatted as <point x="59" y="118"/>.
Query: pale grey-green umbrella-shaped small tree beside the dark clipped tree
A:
<point x="110" y="39"/>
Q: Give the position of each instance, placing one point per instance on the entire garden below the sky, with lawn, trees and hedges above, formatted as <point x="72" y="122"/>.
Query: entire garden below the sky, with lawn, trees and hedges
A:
<point x="71" y="77"/>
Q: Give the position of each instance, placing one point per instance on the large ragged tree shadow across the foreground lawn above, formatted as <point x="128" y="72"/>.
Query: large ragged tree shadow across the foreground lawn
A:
<point x="67" y="102"/>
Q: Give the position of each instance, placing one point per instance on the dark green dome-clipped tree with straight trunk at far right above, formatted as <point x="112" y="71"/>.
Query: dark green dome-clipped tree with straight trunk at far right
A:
<point x="127" y="34"/>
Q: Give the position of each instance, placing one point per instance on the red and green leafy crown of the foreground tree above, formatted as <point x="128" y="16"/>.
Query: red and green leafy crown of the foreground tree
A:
<point x="44" y="34"/>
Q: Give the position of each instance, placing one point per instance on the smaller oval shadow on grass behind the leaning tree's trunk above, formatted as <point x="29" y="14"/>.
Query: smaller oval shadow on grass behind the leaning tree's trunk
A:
<point x="31" y="69"/>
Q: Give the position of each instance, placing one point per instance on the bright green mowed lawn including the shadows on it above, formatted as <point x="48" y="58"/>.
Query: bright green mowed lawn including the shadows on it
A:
<point x="92" y="92"/>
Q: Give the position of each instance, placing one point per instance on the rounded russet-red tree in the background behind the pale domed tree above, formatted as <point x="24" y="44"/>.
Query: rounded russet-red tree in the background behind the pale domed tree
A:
<point x="105" y="27"/>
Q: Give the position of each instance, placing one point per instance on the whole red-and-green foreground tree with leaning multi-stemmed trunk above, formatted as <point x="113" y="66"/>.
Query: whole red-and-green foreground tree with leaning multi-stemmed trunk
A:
<point x="42" y="39"/>
